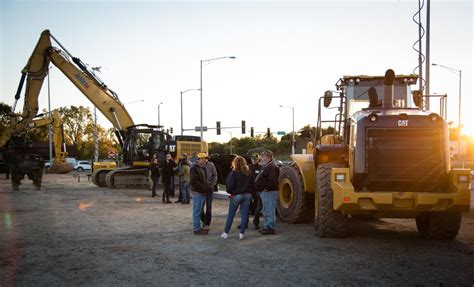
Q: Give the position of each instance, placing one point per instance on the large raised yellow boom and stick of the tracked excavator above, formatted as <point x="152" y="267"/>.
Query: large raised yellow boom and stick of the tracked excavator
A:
<point x="76" y="71"/>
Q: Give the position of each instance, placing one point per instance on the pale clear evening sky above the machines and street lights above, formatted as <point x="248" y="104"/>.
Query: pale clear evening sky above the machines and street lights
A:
<point x="287" y="53"/>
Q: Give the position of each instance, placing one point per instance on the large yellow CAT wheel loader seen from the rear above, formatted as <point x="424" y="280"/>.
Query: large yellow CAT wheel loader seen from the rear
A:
<point x="387" y="158"/>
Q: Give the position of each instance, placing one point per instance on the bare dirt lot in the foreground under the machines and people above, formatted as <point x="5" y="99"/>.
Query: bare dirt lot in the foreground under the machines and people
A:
<point x="72" y="233"/>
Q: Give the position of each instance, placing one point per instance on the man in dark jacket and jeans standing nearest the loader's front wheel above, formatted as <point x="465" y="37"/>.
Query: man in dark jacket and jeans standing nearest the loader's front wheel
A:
<point x="267" y="184"/>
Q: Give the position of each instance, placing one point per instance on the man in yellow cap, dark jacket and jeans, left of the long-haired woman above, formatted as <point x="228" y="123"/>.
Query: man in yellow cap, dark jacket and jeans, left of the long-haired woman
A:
<point x="200" y="188"/>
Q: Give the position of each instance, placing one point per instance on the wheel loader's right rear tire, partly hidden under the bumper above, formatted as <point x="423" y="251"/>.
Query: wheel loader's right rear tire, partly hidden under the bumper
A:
<point x="439" y="225"/>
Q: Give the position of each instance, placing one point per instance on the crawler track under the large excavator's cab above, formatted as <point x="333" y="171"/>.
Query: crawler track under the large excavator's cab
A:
<point x="128" y="178"/>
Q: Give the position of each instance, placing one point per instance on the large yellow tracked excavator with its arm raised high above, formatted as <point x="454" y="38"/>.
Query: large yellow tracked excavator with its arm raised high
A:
<point x="138" y="142"/>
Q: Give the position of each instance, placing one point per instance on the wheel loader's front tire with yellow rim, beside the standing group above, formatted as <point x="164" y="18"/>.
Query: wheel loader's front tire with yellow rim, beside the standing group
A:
<point x="294" y="205"/>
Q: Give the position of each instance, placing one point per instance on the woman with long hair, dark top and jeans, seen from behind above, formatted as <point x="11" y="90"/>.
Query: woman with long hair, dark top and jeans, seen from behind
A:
<point x="239" y="185"/>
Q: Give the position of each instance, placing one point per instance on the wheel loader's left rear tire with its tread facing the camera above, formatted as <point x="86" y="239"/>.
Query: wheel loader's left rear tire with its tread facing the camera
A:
<point x="328" y="222"/>
